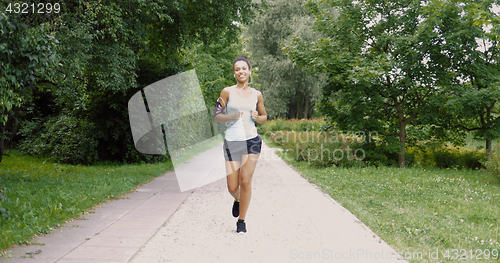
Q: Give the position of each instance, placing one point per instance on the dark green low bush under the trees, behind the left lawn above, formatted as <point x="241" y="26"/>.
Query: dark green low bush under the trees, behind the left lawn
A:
<point x="68" y="139"/>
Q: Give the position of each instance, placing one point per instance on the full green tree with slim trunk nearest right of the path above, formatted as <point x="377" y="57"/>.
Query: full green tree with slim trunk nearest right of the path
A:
<point x="379" y="78"/>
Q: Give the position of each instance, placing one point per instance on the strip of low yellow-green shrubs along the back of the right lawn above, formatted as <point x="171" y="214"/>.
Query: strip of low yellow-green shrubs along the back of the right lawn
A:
<point x="314" y="142"/>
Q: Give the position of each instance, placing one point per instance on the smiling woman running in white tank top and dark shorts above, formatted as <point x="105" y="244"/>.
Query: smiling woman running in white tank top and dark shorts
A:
<point x="244" y="106"/>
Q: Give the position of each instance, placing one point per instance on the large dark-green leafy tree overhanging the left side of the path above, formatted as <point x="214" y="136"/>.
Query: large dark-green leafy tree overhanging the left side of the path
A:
<point x="109" y="50"/>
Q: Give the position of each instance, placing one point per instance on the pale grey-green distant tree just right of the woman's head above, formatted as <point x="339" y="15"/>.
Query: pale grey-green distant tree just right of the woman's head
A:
<point x="289" y="90"/>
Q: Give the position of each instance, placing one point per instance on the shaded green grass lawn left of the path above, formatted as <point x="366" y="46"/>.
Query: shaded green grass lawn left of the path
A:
<point x="44" y="195"/>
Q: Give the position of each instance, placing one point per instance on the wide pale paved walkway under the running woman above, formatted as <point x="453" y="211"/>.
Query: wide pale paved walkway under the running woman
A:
<point x="289" y="220"/>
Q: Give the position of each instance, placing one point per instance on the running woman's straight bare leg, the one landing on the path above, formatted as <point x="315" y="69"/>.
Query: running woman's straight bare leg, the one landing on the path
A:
<point x="245" y="182"/>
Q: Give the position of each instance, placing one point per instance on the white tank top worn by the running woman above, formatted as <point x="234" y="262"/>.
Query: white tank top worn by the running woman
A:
<point x="243" y="128"/>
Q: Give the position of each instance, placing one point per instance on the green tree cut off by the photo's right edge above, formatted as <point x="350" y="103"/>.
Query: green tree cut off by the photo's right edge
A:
<point x="465" y="39"/>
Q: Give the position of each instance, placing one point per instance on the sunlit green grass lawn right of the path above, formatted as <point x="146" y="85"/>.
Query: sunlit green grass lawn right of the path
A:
<point x="420" y="210"/>
